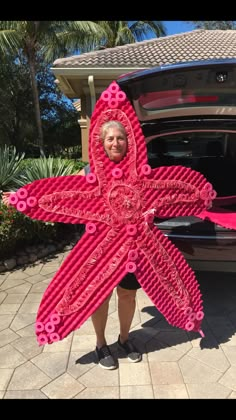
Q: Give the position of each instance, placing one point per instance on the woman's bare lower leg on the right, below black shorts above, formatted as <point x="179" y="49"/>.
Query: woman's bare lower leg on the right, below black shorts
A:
<point x="126" y="310"/>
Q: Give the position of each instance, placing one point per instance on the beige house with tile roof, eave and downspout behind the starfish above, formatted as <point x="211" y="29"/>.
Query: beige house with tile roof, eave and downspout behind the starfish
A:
<point x="84" y="77"/>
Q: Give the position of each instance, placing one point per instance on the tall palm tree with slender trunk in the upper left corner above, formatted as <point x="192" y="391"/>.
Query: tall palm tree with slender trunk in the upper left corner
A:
<point x="45" y="40"/>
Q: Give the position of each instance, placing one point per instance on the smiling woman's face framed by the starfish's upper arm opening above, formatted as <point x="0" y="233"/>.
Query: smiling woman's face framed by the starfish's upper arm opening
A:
<point x="115" y="144"/>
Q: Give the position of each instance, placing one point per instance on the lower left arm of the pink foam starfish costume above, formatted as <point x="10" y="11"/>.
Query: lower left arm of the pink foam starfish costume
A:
<point x="84" y="281"/>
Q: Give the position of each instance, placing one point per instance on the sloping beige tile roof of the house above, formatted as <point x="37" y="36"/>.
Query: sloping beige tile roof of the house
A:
<point x="198" y="44"/>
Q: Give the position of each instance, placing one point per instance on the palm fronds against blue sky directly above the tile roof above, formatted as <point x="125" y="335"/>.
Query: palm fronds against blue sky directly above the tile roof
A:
<point x="126" y="32"/>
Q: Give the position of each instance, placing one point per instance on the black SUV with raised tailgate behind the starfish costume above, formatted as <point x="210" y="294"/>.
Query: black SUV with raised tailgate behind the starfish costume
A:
<point x="188" y="116"/>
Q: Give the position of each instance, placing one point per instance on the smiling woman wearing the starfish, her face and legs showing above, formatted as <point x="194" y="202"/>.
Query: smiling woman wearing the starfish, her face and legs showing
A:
<point x="114" y="138"/>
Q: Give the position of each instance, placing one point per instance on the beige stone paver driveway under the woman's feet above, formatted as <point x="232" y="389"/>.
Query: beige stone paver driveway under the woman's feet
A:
<point x="175" y="365"/>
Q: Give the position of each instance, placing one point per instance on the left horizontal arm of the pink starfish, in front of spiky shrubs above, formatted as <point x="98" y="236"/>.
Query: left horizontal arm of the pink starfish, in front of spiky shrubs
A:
<point x="60" y="199"/>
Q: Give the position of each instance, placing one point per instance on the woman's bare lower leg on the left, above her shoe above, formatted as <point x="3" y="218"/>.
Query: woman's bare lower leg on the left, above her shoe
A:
<point x="99" y="320"/>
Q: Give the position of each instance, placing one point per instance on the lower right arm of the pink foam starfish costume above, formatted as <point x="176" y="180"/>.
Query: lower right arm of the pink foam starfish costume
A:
<point x="171" y="284"/>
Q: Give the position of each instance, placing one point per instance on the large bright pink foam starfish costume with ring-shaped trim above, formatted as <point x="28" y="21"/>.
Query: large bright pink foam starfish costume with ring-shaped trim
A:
<point x="118" y="202"/>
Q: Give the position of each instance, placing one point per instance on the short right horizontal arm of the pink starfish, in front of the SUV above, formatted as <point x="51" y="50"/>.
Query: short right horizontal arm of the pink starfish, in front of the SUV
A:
<point x="179" y="191"/>
